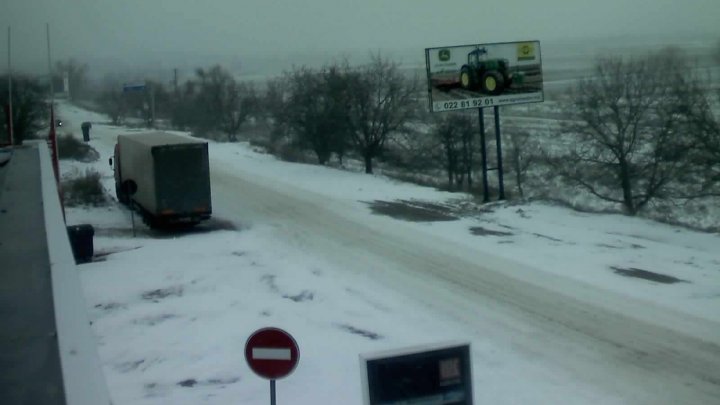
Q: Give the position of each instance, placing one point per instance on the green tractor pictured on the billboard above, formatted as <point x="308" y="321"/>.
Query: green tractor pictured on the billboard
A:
<point x="490" y="76"/>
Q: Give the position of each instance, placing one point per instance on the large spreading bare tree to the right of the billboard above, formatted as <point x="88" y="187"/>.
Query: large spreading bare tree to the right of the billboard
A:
<point x="629" y="130"/>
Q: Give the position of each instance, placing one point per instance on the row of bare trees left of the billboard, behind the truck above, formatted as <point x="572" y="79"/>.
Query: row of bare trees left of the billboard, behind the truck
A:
<point x="331" y="111"/>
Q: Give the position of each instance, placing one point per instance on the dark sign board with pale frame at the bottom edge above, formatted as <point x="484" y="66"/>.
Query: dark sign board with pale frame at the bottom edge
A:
<point x="430" y="375"/>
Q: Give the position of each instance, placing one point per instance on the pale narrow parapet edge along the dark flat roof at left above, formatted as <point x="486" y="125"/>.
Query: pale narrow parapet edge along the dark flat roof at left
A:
<point x="82" y="370"/>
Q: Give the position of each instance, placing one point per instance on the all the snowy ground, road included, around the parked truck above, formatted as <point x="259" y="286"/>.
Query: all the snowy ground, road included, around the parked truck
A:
<point x="561" y="331"/>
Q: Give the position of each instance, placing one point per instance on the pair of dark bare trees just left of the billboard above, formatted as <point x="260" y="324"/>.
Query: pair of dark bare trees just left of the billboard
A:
<point x="337" y="108"/>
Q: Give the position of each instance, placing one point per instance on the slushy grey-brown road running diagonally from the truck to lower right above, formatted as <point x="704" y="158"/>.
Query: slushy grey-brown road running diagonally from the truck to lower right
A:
<point x="639" y="352"/>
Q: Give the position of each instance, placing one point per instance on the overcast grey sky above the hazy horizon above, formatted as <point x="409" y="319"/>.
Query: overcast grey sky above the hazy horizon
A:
<point x="136" y="31"/>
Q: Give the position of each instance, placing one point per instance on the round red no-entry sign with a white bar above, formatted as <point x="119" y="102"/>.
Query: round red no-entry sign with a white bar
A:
<point x="271" y="353"/>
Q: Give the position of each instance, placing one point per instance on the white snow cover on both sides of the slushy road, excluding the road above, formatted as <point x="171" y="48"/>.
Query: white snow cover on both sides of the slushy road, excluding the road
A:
<point x="172" y="312"/>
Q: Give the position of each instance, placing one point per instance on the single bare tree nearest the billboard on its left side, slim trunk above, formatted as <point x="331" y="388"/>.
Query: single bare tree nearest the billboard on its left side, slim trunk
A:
<point x="382" y="101"/>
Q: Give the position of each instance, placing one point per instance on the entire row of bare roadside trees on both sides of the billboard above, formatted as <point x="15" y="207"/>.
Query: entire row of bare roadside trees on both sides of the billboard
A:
<point x="636" y="131"/>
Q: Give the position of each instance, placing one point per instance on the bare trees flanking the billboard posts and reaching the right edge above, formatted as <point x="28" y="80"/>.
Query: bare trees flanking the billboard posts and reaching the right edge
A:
<point x="637" y="131"/>
